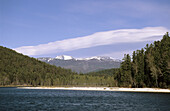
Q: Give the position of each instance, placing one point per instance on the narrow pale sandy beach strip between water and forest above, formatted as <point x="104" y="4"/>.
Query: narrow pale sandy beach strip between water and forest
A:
<point x="156" y="90"/>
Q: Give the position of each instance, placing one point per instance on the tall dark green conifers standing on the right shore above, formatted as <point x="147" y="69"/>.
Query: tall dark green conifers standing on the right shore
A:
<point x="148" y="67"/>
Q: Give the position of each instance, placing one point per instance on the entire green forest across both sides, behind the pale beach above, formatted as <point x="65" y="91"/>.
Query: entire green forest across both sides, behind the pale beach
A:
<point x="148" y="67"/>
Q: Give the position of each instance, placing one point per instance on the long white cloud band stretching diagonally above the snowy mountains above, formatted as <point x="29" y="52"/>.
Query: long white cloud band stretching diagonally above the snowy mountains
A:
<point x="96" y="39"/>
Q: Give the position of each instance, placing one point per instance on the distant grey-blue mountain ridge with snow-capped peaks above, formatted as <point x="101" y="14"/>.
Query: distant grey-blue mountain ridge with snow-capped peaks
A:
<point x="83" y="65"/>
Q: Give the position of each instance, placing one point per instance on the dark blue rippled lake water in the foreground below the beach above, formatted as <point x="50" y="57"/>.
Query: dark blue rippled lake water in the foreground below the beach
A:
<point x="12" y="99"/>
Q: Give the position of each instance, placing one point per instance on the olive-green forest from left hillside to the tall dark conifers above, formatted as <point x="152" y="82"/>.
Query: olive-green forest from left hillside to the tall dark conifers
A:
<point x="18" y="69"/>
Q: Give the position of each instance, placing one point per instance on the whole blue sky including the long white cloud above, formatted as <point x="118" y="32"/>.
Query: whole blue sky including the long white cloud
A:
<point x="82" y="28"/>
